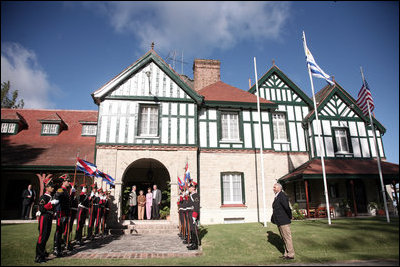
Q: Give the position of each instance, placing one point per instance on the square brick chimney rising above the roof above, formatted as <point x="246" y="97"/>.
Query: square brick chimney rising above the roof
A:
<point x="206" y="72"/>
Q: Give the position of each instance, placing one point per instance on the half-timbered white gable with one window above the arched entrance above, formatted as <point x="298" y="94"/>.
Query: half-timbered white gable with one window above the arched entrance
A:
<point x="148" y="103"/>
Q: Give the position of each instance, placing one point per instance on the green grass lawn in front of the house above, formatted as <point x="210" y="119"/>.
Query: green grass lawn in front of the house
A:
<point x="242" y="244"/>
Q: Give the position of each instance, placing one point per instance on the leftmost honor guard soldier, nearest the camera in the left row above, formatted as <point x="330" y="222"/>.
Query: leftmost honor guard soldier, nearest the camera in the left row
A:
<point x="45" y="218"/>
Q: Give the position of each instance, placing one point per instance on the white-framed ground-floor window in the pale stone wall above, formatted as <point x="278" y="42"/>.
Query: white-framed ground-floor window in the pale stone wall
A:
<point x="232" y="188"/>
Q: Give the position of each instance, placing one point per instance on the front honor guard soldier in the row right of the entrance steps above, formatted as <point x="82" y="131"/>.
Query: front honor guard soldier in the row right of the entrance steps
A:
<point x="194" y="211"/>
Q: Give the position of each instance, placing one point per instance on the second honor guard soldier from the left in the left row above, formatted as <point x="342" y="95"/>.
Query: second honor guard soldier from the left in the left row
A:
<point x="62" y="213"/>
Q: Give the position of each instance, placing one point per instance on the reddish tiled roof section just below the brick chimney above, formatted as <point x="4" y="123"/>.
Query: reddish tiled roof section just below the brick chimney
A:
<point x="221" y="92"/>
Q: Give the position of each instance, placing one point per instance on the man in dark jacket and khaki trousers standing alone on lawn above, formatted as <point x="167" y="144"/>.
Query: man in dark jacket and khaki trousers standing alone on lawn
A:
<point x="281" y="216"/>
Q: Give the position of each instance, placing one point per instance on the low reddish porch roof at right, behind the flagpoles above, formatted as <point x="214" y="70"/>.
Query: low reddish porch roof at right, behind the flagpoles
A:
<point x="343" y="168"/>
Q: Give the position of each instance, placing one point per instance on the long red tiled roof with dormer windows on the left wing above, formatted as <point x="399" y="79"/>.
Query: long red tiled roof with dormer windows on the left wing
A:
<point x="29" y="148"/>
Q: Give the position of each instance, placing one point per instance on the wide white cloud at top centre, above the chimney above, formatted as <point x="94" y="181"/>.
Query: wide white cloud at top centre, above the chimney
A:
<point x="196" y="27"/>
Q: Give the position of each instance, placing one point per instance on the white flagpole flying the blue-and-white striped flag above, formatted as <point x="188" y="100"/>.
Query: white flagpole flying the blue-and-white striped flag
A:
<point x="322" y="150"/>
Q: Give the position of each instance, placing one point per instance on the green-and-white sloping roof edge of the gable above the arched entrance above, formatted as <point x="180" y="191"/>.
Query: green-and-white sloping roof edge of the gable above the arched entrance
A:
<point x="150" y="56"/>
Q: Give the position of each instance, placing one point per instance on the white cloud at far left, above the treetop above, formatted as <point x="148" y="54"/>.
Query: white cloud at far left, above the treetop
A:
<point x="20" y="66"/>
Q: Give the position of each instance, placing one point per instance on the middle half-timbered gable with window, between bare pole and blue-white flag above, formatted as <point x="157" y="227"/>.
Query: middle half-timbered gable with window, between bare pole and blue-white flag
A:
<point x="287" y="133"/>
